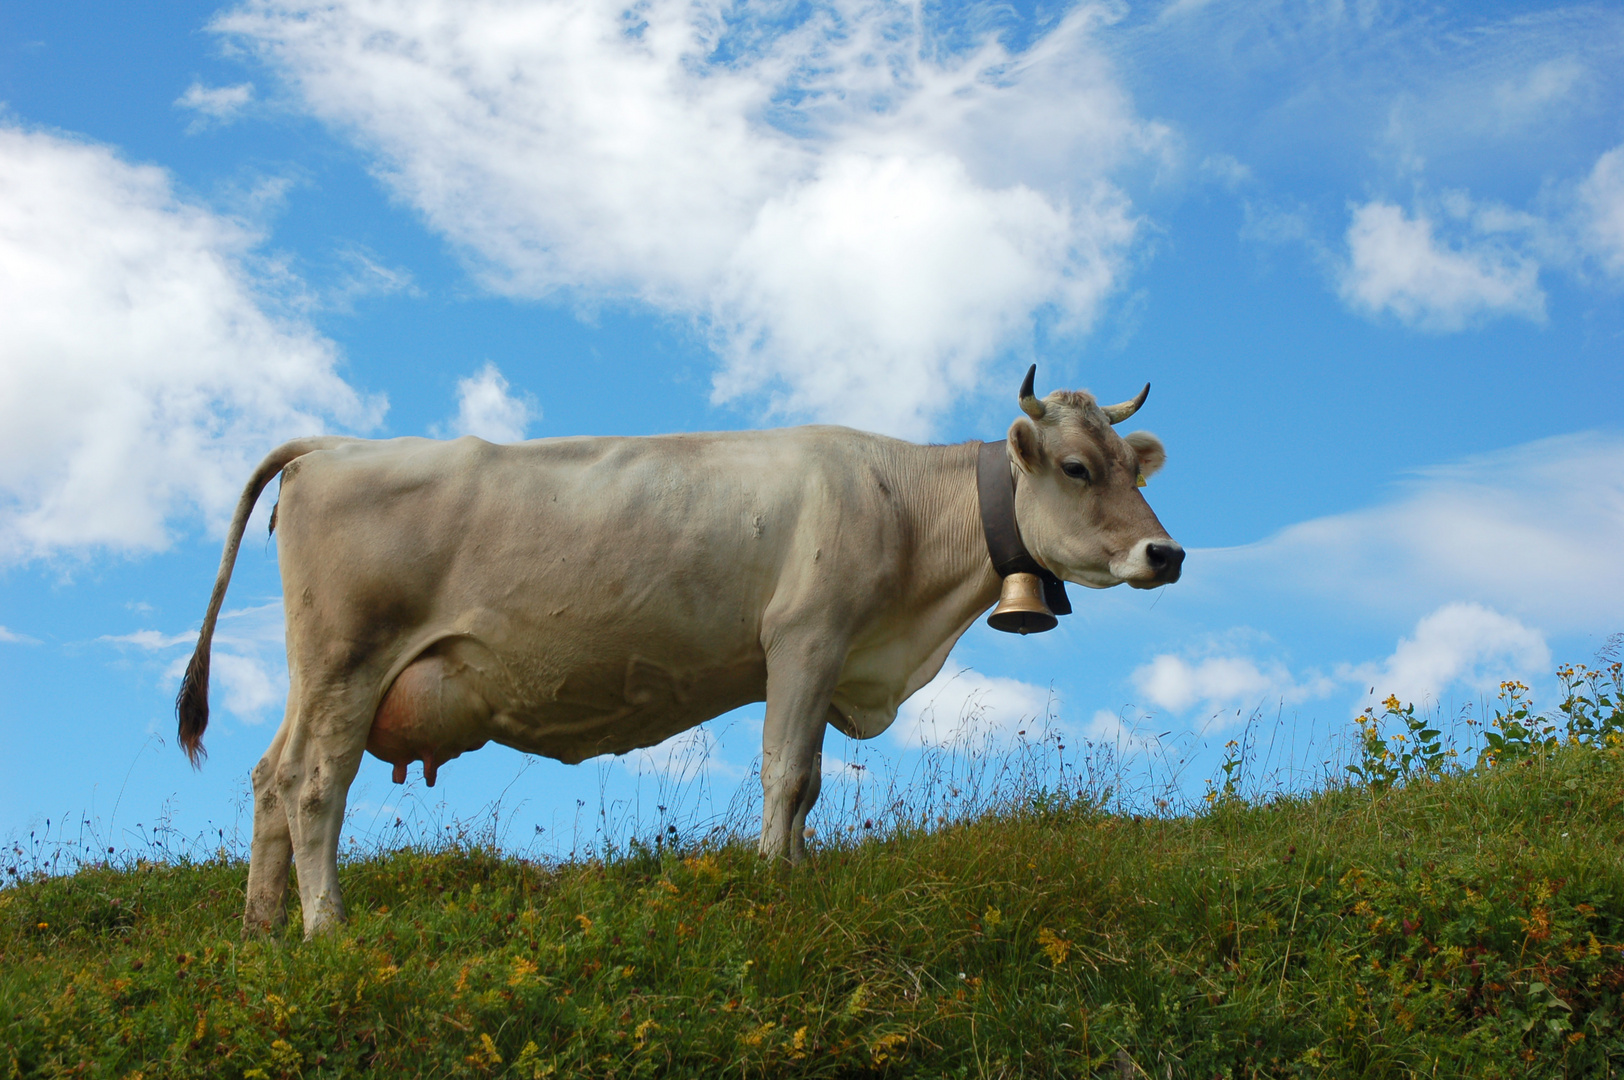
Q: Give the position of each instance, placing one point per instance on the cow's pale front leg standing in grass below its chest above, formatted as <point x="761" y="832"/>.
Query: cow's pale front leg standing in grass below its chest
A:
<point x="798" y="694"/>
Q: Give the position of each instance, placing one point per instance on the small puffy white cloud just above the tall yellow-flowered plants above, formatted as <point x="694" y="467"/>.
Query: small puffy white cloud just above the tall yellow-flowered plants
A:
<point x="1459" y="644"/>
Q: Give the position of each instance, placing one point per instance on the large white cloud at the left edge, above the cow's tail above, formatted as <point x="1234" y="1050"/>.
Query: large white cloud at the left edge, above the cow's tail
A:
<point x="142" y="373"/>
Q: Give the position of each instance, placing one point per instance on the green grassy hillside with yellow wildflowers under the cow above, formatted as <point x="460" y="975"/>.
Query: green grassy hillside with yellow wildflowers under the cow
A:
<point x="1420" y="922"/>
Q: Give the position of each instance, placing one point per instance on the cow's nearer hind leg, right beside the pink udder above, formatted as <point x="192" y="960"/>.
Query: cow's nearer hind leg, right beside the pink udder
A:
<point x="317" y="767"/>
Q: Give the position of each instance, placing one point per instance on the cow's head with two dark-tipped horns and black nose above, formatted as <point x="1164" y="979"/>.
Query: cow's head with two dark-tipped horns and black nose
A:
<point x="1078" y="499"/>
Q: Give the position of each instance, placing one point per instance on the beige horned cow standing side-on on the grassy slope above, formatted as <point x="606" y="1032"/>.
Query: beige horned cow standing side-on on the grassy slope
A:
<point x="595" y="595"/>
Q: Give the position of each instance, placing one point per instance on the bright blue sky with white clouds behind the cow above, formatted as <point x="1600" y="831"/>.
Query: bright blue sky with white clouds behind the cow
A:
<point x="1371" y="259"/>
